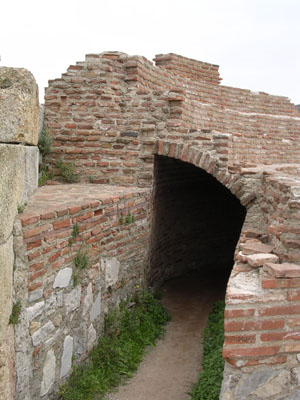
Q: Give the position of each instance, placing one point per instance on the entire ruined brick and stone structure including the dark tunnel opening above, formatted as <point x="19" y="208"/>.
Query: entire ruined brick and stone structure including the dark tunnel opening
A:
<point x="176" y="172"/>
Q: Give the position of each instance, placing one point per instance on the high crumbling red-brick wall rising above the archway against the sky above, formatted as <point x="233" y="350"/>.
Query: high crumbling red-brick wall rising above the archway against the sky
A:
<point x="106" y="112"/>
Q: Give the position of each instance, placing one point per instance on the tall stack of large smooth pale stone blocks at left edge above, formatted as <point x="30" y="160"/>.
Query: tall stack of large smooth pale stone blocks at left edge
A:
<point x="18" y="180"/>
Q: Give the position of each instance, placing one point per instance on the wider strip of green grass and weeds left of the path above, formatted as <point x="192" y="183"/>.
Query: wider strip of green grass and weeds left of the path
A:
<point x="128" y="330"/>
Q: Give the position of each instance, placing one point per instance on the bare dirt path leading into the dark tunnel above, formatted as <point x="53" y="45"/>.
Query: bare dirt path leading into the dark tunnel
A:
<point x="170" y="369"/>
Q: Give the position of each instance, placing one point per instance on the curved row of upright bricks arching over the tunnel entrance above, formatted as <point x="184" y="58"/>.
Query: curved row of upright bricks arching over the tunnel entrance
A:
<point x="209" y="163"/>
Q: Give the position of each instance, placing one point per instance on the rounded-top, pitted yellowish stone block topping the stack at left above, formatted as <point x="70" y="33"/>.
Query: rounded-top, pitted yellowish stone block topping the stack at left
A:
<point x="19" y="113"/>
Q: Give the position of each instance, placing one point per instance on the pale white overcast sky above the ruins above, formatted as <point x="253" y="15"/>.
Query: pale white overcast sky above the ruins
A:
<point x="255" y="42"/>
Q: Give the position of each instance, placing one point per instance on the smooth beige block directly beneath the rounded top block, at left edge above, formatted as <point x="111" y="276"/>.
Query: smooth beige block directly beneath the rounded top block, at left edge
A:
<point x="12" y="178"/>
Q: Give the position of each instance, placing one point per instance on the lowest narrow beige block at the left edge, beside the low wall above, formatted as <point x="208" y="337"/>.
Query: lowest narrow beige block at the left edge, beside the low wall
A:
<point x="6" y="281"/>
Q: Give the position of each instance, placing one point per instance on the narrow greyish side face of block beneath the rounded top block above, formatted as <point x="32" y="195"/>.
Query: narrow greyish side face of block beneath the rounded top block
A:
<point x="31" y="171"/>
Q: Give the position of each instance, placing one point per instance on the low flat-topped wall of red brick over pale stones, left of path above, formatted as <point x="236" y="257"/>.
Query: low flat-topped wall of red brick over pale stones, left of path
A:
<point x="64" y="301"/>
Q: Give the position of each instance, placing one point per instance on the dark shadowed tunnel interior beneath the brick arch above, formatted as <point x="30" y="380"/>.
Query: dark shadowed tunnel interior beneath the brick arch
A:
<point x="196" y="222"/>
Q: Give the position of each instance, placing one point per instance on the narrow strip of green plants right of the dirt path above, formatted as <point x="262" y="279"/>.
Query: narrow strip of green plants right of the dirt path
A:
<point x="210" y="380"/>
